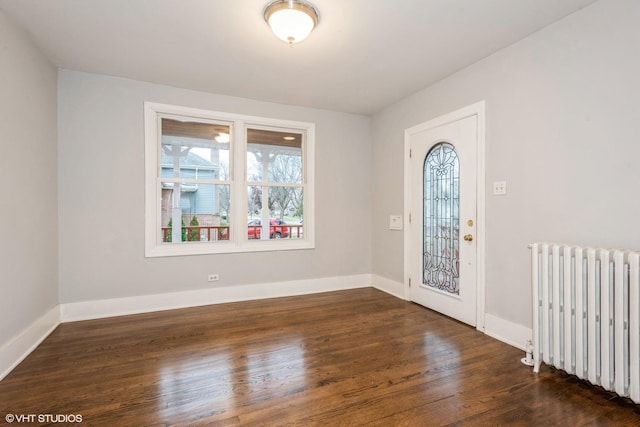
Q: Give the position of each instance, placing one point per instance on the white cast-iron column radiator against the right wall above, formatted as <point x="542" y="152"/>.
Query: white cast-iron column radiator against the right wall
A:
<point x="586" y="314"/>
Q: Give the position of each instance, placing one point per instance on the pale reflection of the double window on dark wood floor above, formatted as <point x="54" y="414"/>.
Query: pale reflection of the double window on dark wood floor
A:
<point x="230" y="377"/>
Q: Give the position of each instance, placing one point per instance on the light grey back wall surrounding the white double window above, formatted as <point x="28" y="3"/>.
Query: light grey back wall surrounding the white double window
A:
<point x="101" y="195"/>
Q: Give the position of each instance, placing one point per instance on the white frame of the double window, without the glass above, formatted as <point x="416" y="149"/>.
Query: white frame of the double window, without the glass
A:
<point x="238" y="182"/>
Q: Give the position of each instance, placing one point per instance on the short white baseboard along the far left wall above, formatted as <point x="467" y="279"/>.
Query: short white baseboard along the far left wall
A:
<point x="20" y="346"/>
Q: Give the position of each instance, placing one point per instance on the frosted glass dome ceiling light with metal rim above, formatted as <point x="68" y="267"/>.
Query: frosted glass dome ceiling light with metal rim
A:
<point x="291" y="20"/>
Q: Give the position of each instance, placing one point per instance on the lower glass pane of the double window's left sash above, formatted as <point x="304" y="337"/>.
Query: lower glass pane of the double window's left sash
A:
<point x="202" y="209"/>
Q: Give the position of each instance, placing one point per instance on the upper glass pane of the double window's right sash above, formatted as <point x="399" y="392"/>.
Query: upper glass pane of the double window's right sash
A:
<point x="274" y="156"/>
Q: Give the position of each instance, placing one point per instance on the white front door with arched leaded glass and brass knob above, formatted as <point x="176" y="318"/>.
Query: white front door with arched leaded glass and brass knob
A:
<point x="442" y="225"/>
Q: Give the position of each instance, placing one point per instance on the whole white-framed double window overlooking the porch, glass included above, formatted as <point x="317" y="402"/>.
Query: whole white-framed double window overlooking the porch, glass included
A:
<point x="221" y="183"/>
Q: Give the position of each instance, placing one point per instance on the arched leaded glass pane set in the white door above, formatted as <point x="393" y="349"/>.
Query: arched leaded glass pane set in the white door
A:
<point x="441" y="223"/>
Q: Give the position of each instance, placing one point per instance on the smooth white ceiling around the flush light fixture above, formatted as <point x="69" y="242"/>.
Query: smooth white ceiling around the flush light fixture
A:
<point x="363" y="56"/>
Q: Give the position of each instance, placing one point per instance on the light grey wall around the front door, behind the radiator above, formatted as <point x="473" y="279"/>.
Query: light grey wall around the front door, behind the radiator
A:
<point x="563" y="128"/>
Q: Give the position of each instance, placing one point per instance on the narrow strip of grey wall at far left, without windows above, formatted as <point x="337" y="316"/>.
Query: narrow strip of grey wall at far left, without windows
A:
<point x="28" y="185"/>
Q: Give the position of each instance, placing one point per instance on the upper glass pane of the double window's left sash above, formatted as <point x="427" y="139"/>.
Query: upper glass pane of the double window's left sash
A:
<point x="195" y="150"/>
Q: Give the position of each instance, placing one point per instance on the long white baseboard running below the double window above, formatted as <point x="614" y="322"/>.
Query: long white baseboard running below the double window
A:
<point x="98" y="309"/>
